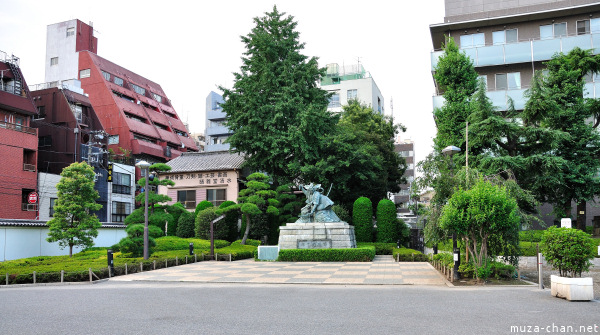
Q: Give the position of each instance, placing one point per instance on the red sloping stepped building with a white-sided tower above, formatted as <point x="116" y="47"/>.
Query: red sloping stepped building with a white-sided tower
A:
<point x="134" y="111"/>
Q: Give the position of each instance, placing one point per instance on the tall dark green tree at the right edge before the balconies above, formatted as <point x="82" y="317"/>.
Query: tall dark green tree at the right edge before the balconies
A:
<point x="578" y="180"/>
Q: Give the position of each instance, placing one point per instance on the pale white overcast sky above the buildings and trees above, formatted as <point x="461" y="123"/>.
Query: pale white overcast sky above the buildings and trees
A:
<point x="191" y="48"/>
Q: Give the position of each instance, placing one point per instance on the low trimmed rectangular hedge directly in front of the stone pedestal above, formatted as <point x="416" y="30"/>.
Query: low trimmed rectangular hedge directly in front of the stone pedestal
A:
<point x="363" y="254"/>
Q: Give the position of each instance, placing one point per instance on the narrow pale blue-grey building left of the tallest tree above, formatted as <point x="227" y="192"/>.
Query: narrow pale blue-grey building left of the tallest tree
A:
<point x="216" y="132"/>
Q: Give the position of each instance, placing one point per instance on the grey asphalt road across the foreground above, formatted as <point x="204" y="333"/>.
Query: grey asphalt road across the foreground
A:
<point x="195" y="308"/>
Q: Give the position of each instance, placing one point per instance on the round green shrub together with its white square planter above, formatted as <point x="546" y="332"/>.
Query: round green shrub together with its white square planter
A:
<point x="569" y="251"/>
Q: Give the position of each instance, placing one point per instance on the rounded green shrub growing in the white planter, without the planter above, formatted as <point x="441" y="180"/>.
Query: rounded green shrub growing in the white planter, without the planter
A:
<point x="568" y="250"/>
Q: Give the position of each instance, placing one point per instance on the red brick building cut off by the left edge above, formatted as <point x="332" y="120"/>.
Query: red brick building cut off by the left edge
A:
<point x="18" y="142"/>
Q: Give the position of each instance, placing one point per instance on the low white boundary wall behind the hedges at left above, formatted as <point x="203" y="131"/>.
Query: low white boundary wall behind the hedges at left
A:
<point x="24" y="242"/>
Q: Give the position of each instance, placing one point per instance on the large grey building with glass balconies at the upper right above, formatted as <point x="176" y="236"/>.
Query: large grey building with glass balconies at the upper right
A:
<point x="509" y="40"/>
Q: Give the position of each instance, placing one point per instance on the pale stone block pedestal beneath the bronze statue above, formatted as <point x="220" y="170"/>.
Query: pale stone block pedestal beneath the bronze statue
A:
<point x="317" y="235"/>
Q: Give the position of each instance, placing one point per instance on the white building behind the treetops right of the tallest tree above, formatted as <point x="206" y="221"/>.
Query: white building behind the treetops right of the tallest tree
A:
<point x="351" y="82"/>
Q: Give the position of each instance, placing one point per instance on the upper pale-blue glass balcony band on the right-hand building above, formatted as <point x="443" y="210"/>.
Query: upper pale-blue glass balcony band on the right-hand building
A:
<point x="525" y="51"/>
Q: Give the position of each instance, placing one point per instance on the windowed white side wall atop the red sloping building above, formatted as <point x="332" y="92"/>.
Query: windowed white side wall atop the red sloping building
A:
<point x="63" y="47"/>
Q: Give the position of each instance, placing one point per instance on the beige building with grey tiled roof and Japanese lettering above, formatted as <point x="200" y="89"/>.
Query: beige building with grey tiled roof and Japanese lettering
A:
<point x="198" y="176"/>
